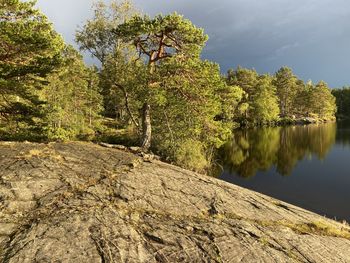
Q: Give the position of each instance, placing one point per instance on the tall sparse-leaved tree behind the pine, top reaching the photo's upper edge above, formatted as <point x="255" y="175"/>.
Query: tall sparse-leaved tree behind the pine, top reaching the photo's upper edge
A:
<point x="115" y="55"/>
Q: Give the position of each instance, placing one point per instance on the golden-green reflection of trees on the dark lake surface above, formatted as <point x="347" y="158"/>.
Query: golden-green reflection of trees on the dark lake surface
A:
<point x="262" y="149"/>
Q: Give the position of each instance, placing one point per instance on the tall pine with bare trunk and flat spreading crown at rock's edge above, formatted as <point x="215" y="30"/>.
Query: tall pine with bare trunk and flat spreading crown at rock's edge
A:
<point x="156" y="40"/>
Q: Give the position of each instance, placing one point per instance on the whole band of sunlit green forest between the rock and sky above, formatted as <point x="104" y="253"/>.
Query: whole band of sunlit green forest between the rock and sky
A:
<point x="150" y="87"/>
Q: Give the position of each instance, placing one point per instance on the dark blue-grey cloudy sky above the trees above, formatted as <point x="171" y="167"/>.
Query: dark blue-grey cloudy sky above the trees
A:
<point x="311" y="36"/>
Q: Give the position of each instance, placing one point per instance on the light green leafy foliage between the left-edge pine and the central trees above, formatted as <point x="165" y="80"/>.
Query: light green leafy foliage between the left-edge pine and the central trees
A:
<point x="73" y="99"/>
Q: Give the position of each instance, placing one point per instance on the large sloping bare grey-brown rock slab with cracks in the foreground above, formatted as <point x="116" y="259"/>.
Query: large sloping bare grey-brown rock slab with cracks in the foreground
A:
<point x="93" y="207"/>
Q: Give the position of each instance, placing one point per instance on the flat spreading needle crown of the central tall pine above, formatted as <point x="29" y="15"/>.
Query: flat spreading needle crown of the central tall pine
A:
<point x="177" y="34"/>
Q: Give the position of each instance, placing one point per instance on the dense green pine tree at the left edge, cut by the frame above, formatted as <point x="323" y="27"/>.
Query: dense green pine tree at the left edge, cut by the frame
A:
<point x="29" y="50"/>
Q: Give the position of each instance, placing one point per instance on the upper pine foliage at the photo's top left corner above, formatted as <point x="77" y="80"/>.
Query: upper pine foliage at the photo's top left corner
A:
<point x="29" y="45"/>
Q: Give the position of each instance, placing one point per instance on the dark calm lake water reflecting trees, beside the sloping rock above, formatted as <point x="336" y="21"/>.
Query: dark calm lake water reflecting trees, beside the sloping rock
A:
<point x="308" y="166"/>
